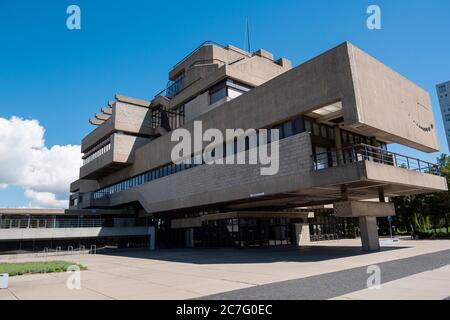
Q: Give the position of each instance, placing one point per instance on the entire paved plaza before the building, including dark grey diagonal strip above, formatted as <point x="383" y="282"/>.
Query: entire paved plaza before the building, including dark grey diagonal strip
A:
<point x="326" y="270"/>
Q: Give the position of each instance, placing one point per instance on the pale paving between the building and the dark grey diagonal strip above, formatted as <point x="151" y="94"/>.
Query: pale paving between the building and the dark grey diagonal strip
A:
<point x="195" y="273"/>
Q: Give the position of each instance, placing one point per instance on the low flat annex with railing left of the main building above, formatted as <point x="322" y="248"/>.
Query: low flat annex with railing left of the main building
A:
<point x="30" y="230"/>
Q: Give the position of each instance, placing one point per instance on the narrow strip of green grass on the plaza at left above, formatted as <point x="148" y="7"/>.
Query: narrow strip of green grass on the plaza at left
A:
<point x="17" y="269"/>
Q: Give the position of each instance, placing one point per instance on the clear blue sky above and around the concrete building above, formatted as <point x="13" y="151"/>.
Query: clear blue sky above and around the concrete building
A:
<point x="62" y="77"/>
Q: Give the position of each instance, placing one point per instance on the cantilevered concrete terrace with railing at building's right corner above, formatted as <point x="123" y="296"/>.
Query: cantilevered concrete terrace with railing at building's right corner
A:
<point x="363" y="172"/>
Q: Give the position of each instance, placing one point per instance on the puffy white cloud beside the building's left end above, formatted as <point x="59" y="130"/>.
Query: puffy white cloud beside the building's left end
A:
<point x="25" y="161"/>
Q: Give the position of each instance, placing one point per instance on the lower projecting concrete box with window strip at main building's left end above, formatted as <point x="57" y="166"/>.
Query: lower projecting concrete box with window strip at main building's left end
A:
<point x="110" y="155"/>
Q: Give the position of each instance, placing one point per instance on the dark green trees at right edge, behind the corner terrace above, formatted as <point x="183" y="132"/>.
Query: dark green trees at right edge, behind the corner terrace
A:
<point x="425" y="213"/>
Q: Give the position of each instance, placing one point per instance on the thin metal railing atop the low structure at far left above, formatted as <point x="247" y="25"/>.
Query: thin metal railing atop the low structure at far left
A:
<point x="50" y="223"/>
